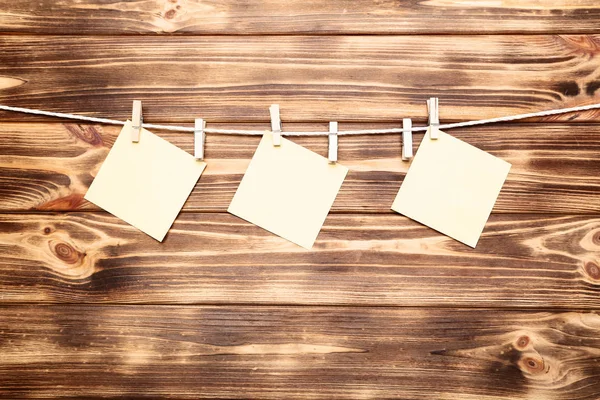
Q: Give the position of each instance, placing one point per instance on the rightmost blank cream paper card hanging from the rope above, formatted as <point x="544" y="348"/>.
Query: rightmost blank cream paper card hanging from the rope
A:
<point x="451" y="187"/>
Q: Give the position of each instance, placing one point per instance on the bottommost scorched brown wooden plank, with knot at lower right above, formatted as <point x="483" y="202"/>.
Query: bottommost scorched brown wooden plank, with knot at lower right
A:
<point x="296" y="353"/>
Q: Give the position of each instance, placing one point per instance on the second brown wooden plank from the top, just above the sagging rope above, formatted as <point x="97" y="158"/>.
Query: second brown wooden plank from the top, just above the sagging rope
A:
<point x="315" y="79"/>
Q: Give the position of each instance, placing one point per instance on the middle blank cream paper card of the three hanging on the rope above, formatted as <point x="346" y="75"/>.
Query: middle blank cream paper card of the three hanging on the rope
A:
<point x="288" y="190"/>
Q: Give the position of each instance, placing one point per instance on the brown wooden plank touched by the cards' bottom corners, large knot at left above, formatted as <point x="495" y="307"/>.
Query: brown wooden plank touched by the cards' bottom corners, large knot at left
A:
<point x="520" y="261"/>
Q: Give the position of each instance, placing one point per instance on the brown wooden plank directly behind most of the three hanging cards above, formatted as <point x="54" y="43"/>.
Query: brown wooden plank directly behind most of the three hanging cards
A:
<point x="556" y="167"/>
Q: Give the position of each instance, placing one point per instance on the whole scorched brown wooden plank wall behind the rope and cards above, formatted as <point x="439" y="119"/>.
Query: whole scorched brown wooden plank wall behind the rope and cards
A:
<point x="382" y="307"/>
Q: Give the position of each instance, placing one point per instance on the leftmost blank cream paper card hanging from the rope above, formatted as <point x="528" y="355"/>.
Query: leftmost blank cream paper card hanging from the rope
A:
<point x="146" y="183"/>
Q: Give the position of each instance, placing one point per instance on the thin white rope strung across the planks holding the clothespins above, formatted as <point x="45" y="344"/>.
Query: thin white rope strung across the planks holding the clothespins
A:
<point x="261" y="132"/>
